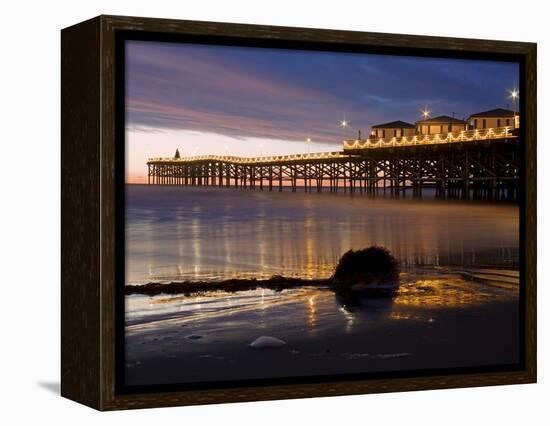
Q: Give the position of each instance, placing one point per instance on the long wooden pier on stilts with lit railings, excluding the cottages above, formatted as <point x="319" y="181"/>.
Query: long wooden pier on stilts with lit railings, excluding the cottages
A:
<point x="480" y="164"/>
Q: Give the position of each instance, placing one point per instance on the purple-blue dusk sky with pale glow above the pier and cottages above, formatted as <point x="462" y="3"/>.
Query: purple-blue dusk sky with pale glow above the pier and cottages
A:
<point x="254" y="101"/>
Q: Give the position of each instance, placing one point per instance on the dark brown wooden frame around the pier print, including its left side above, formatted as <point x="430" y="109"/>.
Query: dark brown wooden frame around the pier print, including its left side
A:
<point x="90" y="201"/>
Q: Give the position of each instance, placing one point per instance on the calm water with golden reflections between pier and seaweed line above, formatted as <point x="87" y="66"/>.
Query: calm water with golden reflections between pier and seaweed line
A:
<point x="176" y="233"/>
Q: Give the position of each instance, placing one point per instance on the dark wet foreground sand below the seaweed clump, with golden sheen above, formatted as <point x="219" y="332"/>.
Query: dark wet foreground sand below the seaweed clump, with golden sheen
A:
<point x="438" y="320"/>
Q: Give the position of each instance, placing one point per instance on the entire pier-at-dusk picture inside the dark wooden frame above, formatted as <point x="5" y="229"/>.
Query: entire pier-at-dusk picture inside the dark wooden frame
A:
<point x="302" y="214"/>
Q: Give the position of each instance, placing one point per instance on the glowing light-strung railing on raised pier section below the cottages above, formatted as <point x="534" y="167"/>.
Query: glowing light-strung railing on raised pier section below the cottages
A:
<point x="416" y="140"/>
